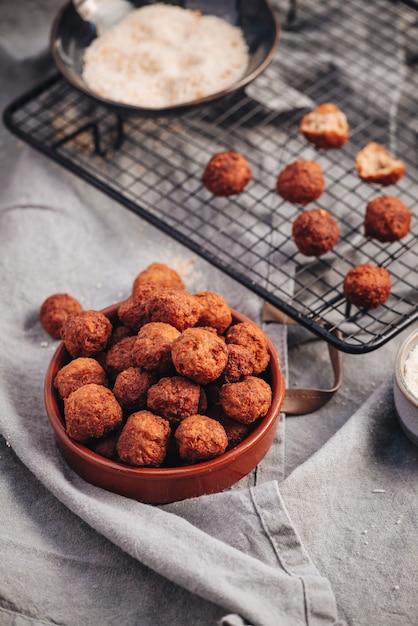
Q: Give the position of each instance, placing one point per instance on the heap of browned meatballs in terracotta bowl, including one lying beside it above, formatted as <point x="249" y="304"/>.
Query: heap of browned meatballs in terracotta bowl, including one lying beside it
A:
<point x="173" y="380"/>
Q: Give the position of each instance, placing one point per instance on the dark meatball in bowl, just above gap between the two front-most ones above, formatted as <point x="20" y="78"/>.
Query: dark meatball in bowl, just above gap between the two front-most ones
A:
<point x="174" y="398"/>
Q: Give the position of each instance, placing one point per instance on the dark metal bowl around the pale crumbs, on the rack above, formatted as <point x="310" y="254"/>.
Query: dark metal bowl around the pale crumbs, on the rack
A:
<point x="71" y="35"/>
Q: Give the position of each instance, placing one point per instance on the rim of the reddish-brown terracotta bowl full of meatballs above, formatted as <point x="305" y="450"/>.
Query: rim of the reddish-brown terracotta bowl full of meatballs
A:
<point x="56" y="420"/>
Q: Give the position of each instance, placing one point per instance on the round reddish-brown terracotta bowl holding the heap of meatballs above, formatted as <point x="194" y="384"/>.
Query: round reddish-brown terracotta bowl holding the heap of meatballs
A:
<point x="165" y="484"/>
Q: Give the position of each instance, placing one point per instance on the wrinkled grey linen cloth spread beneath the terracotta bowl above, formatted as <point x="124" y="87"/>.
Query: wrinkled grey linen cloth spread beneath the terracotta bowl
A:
<point x="330" y="521"/>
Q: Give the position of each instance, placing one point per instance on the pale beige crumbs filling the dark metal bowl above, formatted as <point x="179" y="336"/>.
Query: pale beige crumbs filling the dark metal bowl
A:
<point x="162" y="55"/>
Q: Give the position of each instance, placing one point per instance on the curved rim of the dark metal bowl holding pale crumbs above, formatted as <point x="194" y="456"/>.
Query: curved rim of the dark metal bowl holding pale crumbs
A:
<point x="126" y="108"/>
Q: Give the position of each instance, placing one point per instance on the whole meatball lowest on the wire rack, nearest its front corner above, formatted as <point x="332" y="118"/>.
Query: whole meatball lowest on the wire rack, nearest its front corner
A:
<point x="367" y="286"/>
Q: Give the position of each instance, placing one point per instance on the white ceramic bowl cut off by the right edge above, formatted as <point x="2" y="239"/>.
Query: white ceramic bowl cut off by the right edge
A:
<point x="406" y="402"/>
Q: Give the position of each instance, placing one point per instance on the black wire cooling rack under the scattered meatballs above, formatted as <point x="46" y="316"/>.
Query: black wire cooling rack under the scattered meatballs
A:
<point x="363" y="57"/>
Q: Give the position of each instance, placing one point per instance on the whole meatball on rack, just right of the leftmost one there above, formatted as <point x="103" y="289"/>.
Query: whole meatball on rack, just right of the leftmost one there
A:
<point x="301" y="182"/>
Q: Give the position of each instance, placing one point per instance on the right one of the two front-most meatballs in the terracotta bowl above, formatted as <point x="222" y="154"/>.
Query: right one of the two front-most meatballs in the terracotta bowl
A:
<point x="200" y="438"/>
